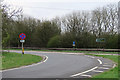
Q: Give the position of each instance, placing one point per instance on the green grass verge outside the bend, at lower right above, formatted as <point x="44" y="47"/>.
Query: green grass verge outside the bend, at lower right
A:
<point x="113" y="73"/>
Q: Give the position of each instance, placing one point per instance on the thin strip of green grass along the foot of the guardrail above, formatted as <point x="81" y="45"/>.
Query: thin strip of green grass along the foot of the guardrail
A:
<point x="72" y="51"/>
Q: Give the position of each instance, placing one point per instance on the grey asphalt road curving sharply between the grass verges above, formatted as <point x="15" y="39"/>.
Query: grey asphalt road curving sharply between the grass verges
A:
<point x="58" y="65"/>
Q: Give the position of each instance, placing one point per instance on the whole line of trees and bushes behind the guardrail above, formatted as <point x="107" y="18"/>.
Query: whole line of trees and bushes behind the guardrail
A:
<point x="83" y="27"/>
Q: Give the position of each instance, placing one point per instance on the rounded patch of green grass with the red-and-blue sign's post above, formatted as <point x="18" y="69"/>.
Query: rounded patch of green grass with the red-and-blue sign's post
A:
<point x="13" y="60"/>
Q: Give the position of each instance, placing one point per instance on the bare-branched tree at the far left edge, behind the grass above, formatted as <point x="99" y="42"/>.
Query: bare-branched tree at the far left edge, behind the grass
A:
<point x="8" y="16"/>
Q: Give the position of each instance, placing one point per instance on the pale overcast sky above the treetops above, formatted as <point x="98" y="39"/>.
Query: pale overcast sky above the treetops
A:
<point x="48" y="9"/>
